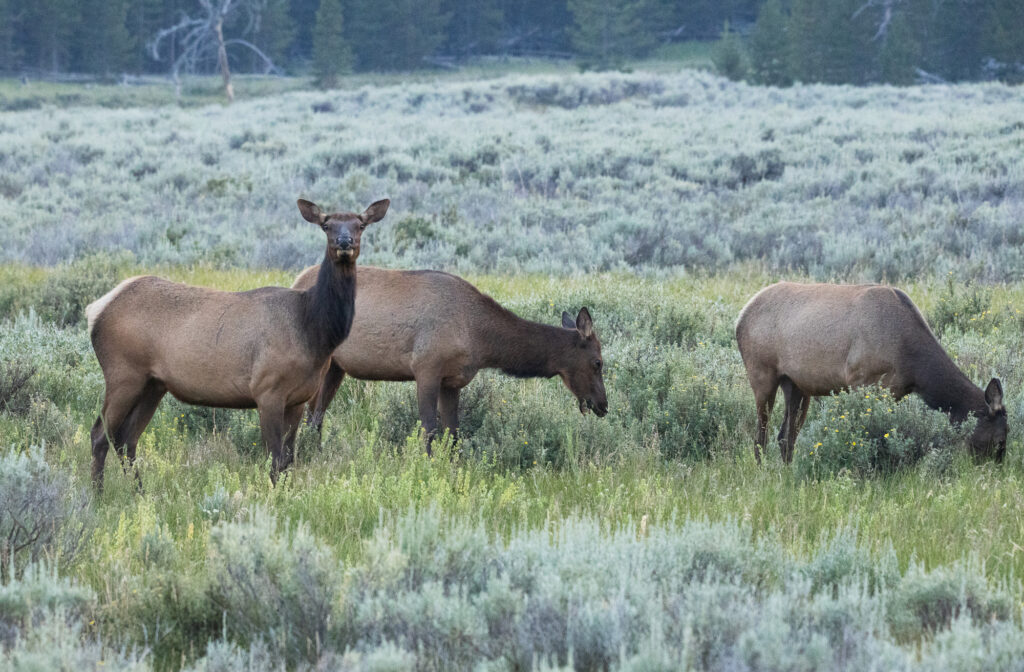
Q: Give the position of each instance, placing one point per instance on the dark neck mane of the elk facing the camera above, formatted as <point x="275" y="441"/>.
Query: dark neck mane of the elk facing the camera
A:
<point x="330" y="306"/>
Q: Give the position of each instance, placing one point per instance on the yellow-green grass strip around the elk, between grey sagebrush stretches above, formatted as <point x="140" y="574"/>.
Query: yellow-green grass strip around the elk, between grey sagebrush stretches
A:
<point x="147" y="554"/>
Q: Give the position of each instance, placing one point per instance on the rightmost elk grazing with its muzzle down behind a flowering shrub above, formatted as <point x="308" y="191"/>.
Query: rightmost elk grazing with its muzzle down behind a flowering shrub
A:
<point x="814" y="341"/>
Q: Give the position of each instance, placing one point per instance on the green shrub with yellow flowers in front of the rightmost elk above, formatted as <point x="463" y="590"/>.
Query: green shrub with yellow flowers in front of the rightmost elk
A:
<point x="865" y="432"/>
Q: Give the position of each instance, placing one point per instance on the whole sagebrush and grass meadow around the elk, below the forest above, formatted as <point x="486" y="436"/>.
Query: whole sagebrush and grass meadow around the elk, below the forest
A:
<point x="649" y="539"/>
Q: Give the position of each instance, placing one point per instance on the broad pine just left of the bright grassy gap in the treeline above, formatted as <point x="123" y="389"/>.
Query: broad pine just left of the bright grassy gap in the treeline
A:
<point x="609" y="32"/>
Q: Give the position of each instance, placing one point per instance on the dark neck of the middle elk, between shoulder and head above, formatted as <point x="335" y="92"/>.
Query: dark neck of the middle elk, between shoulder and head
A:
<point x="524" y="349"/>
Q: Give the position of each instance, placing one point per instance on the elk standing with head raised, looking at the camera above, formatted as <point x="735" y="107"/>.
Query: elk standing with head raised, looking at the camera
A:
<point x="266" y="349"/>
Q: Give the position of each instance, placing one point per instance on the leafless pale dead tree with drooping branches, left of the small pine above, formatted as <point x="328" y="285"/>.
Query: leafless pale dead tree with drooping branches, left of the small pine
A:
<point x="200" y="39"/>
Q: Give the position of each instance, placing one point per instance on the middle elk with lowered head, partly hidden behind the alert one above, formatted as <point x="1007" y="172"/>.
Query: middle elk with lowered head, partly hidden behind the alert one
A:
<point x="439" y="330"/>
